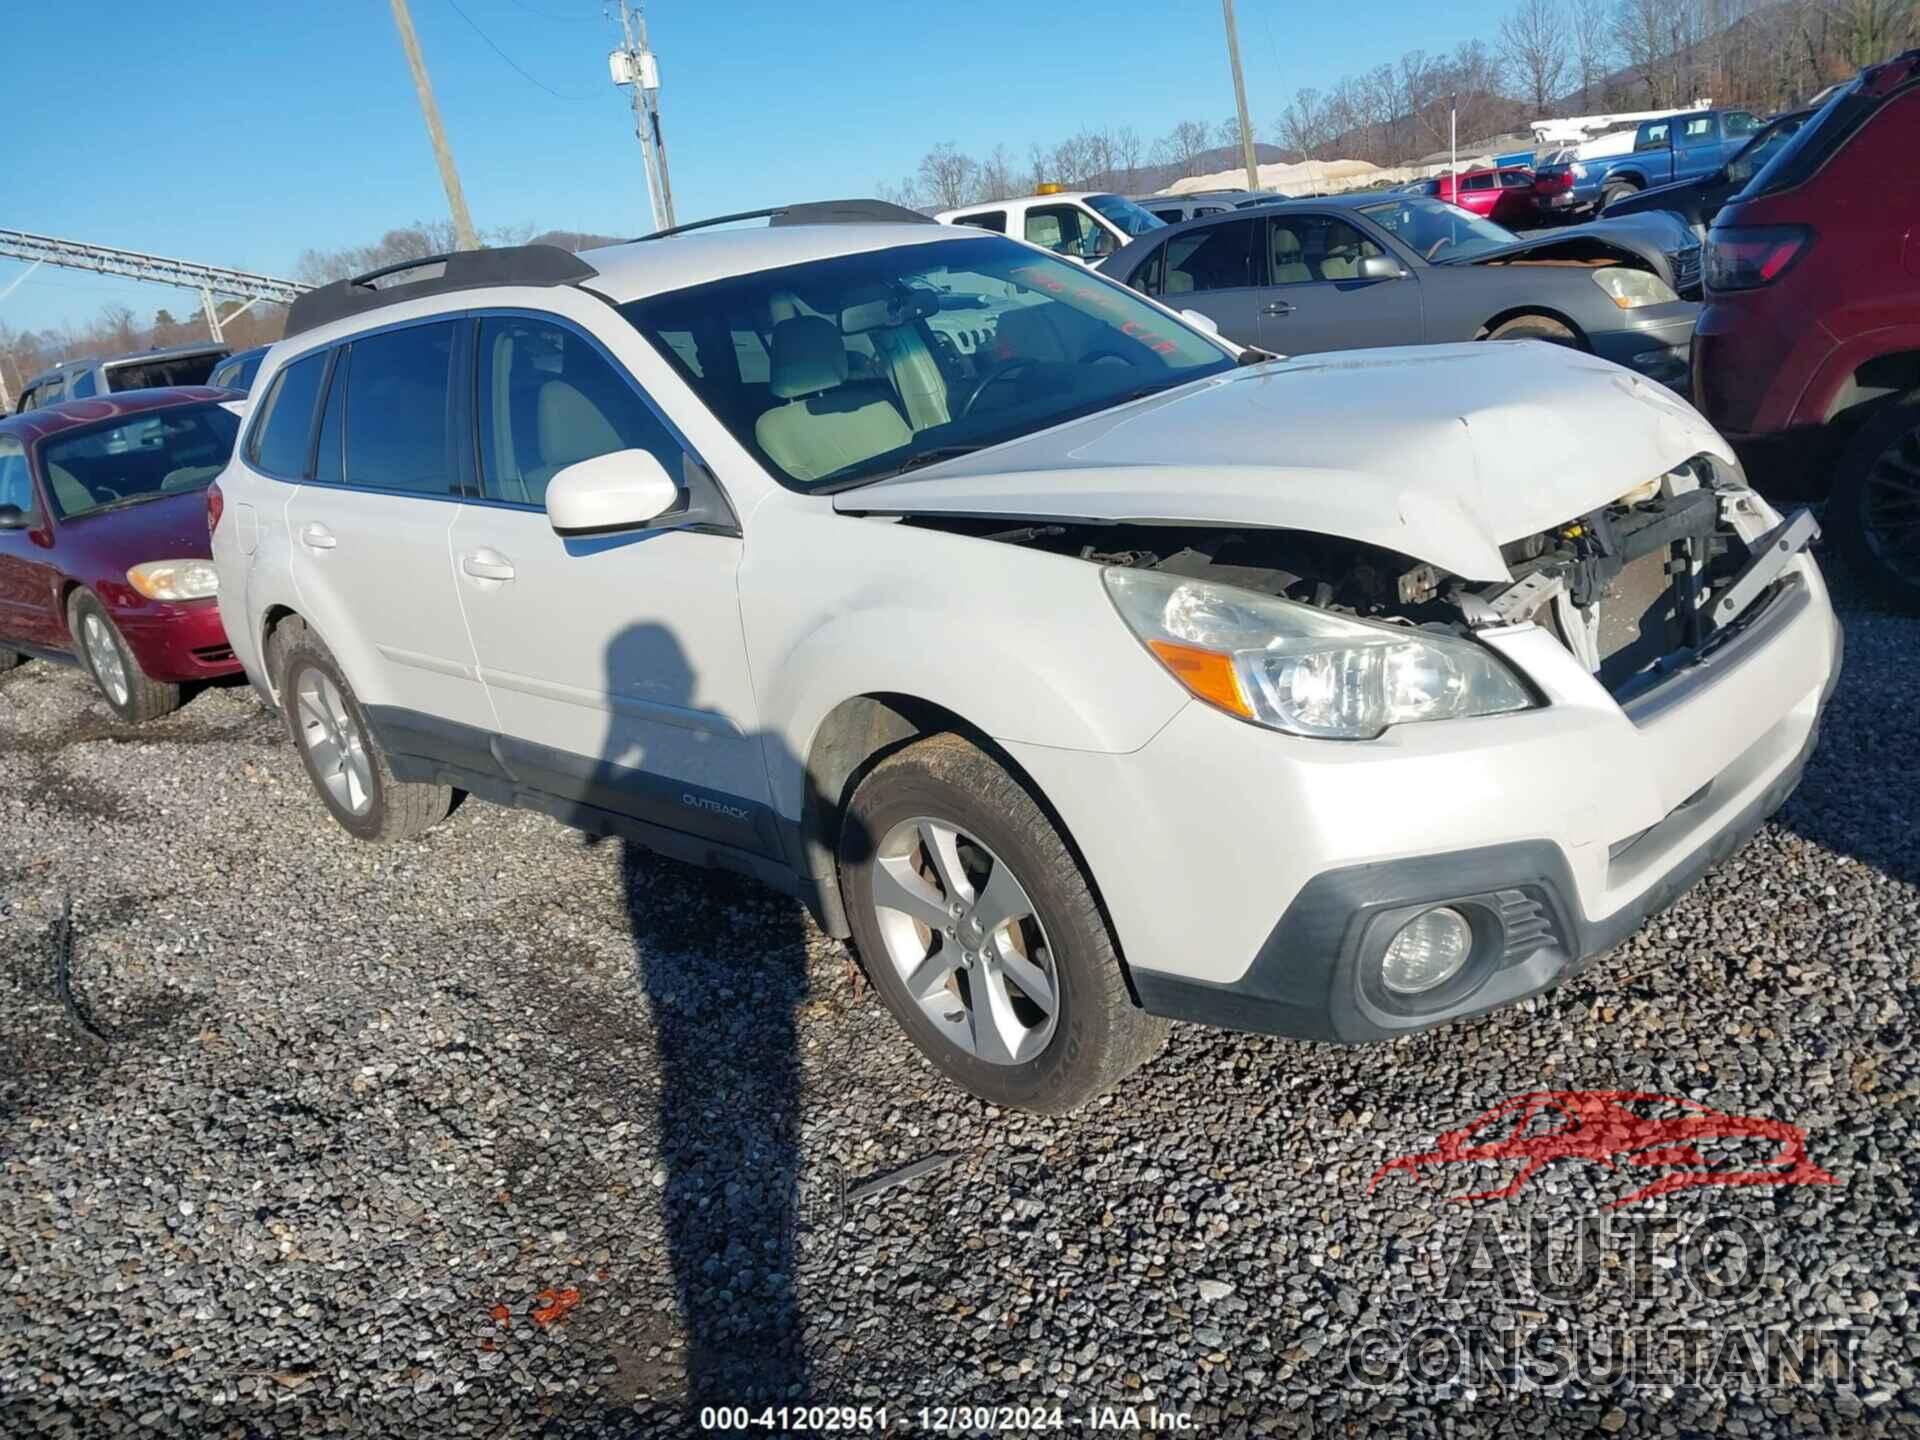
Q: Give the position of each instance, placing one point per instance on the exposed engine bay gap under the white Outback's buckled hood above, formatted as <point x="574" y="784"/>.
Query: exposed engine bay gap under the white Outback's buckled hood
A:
<point x="1635" y="590"/>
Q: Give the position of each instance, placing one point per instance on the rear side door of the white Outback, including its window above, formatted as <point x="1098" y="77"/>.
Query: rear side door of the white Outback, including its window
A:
<point x="368" y="533"/>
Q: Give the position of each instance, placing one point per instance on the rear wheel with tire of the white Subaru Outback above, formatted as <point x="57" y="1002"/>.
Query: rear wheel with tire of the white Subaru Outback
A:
<point x="347" y="765"/>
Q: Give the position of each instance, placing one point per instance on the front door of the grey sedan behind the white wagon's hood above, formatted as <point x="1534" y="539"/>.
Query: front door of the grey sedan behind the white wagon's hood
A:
<point x="1318" y="300"/>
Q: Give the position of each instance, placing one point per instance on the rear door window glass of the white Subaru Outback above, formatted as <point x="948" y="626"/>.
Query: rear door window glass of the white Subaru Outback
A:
<point x="398" y="412"/>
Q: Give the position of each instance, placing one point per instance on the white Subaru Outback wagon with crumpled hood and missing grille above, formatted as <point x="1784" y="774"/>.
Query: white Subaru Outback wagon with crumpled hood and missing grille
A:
<point x="1086" y="671"/>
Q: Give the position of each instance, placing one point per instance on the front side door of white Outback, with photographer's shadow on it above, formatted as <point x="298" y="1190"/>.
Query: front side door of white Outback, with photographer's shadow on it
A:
<point x="615" y="663"/>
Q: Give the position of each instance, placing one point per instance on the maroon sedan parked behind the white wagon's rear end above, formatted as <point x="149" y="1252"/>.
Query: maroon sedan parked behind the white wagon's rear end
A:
<point x="105" y="542"/>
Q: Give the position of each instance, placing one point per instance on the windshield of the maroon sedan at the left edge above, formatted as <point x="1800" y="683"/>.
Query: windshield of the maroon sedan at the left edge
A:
<point x="141" y="458"/>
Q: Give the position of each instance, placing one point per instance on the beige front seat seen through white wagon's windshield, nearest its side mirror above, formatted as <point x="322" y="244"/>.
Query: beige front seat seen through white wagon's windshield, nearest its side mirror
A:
<point x="827" y="423"/>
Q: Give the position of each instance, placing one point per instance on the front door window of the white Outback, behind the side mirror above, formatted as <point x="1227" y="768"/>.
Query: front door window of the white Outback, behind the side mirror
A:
<point x="548" y="400"/>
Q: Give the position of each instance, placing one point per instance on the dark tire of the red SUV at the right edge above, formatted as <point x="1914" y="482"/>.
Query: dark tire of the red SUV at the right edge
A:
<point x="1877" y="506"/>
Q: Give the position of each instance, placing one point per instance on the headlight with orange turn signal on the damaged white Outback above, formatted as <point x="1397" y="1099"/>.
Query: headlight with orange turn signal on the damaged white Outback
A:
<point x="1307" y="671"/>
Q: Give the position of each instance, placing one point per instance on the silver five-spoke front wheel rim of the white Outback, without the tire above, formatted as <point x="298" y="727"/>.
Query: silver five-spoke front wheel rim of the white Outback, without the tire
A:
<point x="967" y="942"/>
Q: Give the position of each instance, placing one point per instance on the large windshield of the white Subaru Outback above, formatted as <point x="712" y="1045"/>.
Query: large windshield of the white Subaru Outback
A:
<point x="857" y="368"/>
